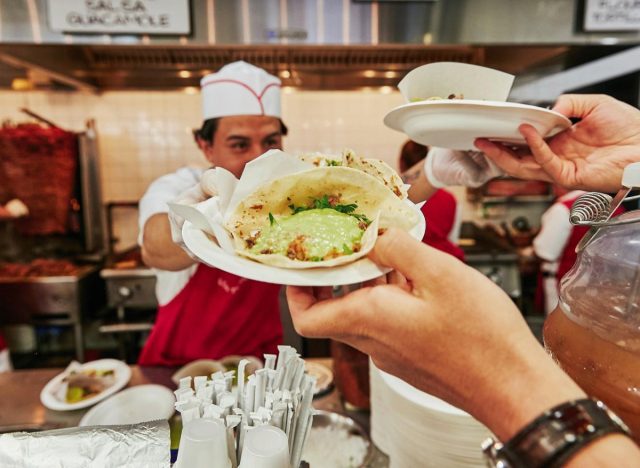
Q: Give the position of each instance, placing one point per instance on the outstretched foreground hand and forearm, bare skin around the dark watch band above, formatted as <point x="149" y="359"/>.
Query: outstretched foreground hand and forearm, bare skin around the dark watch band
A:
<point x="448" y="330"/>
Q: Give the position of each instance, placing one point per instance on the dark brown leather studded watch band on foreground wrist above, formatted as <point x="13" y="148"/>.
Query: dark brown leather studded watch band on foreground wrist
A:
<point x="553" y="437"/>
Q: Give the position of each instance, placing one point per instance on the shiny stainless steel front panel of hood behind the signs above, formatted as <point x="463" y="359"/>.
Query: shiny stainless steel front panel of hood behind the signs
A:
<point x="338" y="22"/>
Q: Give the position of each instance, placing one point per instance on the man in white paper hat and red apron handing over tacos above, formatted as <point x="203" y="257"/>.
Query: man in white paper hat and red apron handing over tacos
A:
<point x="205" y="312"/>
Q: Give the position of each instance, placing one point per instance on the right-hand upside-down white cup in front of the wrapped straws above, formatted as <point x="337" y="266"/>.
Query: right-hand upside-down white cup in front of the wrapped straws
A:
<point x="265" y="447"/>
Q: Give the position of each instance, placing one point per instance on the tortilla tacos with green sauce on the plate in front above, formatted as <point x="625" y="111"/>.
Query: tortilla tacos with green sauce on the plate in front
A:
<point x="325" y="216"/>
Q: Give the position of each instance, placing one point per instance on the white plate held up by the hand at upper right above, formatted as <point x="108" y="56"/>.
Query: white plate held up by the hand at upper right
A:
<point x="456" y="124"/>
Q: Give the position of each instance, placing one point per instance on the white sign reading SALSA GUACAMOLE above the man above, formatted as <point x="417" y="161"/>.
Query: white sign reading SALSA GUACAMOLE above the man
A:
<point x="120" y="16"/>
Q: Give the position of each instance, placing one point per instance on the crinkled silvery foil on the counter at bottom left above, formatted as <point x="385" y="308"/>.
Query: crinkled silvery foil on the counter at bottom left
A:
<point x="144" y="445"/>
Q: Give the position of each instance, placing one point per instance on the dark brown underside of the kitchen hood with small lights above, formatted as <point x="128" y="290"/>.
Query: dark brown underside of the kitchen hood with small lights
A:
<point x="96" y="68"/>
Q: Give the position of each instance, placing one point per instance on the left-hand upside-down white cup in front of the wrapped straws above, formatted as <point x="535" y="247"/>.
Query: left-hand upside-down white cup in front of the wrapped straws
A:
<point x="203" y="445"/>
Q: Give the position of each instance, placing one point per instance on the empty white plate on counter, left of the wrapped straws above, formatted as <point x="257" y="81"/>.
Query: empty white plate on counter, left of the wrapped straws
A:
<point x="134" y="405"/>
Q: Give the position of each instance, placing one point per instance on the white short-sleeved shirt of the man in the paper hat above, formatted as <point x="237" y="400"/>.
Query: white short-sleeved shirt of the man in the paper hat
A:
<point x="154" y="201"/>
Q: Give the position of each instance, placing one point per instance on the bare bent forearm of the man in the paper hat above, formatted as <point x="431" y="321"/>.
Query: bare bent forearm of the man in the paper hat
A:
<point x="159" y="250"/>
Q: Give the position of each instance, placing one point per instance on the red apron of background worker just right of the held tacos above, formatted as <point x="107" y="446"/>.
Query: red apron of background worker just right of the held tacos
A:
<point x="439" y="212"/>
